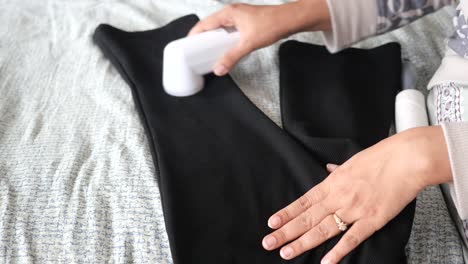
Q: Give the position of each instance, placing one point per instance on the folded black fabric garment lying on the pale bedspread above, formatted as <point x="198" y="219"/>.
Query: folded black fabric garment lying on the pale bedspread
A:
<point x="224" y="167"/>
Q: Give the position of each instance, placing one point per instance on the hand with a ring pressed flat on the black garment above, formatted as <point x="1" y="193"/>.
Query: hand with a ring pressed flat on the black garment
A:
<point x="367" y="191"/>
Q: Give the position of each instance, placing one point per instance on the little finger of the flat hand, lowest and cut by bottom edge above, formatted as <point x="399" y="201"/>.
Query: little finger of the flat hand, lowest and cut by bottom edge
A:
<point x="359" y="232"/>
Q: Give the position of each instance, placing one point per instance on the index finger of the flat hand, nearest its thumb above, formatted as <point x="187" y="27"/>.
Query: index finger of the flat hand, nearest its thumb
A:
<point x="314" y="196"/>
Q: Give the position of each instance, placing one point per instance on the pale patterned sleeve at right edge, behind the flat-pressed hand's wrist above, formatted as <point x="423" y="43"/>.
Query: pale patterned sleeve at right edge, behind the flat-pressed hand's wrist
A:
<point x="450" y="82"/>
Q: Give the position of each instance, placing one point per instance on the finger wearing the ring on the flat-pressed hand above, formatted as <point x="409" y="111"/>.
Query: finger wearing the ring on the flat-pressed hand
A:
<point x="316" y="236"/>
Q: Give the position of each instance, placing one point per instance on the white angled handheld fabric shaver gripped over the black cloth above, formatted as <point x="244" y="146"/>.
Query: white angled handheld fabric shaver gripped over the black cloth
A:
<point x="186" y="60"/>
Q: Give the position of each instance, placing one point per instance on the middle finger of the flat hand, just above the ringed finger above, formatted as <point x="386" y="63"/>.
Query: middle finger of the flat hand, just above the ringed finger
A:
<point x="297" y="227"/>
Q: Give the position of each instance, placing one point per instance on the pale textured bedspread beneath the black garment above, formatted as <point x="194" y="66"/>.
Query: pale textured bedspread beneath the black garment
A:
<point x="77" y="182"/>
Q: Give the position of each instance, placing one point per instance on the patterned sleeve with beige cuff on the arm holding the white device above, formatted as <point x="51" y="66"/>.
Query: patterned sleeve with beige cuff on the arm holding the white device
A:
<point x="354" y="20"/>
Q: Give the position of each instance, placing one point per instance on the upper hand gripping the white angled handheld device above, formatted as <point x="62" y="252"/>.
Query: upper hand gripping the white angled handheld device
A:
<point x="260" y="26"/>
